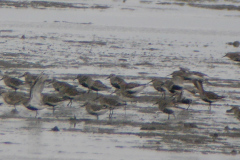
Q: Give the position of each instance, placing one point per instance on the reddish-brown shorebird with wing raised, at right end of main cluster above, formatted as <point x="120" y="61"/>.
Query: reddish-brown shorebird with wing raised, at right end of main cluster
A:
<point x="206" y="96"/>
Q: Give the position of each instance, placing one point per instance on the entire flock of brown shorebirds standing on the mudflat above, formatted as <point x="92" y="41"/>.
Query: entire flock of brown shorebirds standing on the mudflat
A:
<point x="171" y="91"/>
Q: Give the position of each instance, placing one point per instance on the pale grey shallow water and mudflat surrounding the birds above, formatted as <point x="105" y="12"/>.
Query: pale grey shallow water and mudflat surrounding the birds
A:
<point x="138" y="40"/>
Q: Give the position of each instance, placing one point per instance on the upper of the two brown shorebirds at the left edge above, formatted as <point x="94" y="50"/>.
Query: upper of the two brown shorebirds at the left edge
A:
<point x="12" y="82"/>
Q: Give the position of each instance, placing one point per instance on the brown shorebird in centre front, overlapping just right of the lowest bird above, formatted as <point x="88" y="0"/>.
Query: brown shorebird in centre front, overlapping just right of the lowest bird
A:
<point x="110" y="103"/>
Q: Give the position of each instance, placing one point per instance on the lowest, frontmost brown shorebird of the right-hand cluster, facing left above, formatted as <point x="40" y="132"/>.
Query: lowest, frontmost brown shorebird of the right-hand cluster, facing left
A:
<point x="163" y="106"/>
